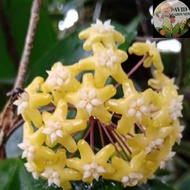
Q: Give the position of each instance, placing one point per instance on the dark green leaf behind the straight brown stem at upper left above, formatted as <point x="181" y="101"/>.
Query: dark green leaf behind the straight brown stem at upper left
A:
<point x="18" y="13"/>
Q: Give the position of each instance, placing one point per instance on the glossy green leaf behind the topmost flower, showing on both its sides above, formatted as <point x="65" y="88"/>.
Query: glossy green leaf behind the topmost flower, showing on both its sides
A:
<point x="69" y="50"/>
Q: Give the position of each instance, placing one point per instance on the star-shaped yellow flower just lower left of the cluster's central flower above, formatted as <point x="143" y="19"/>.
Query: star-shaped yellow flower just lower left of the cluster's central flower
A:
<point x="58" y="129"/>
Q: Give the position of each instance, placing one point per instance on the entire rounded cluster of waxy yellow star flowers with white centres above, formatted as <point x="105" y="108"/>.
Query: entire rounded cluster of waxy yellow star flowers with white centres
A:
<point x="78" y="130"/>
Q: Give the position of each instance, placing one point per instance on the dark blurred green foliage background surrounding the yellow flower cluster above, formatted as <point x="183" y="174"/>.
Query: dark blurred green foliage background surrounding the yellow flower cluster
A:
<point x="133" y="20"/>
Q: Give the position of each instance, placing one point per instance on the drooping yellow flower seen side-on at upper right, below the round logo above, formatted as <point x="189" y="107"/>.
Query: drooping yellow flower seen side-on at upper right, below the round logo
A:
<point x="141" y="48"/>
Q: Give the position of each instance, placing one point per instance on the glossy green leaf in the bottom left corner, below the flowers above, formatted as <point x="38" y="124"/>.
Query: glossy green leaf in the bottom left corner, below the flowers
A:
<point x="13" y="175"/>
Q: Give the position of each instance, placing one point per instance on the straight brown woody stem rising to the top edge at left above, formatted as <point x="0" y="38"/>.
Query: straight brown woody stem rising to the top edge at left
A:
<point x="28" y="44"/>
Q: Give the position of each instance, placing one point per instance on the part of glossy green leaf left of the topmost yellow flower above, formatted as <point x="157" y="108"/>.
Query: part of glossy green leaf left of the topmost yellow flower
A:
<point x="68" y="50"/>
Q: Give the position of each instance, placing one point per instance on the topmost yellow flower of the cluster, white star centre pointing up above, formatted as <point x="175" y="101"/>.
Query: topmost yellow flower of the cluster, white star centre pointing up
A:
<point x="100" y="32"/>
